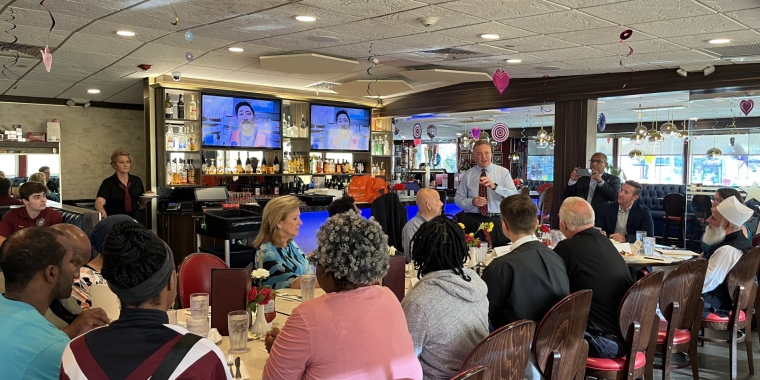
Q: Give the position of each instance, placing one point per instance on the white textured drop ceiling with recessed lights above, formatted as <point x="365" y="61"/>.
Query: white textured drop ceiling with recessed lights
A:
<point x="581" y="37"/>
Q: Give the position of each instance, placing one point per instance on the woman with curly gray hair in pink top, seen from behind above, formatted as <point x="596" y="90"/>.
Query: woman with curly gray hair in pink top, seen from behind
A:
<point x="355" y="331"/>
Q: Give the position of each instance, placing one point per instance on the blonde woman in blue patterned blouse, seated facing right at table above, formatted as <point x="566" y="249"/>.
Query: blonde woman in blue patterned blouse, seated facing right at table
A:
<point x="277" y="252"/>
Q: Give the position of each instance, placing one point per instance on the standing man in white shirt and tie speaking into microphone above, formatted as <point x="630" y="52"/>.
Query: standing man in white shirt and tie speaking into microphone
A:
<point x="481" y="190"/>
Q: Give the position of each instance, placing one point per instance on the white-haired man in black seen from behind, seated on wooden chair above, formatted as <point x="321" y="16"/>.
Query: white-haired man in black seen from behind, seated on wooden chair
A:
<point x="593" y="262"/>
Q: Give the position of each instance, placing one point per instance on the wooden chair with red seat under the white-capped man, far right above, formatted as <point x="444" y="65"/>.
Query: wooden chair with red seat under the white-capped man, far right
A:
<point x="742" y="288"/>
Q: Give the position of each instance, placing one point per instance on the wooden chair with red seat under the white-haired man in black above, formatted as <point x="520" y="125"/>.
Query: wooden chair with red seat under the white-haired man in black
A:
<point x="639" y="323"/>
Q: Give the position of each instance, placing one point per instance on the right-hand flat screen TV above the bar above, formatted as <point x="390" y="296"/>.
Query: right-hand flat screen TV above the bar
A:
<point x="340" y="128"/>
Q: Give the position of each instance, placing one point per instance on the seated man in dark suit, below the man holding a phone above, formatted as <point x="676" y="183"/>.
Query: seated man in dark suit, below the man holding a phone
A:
<point x="621" y="220"/>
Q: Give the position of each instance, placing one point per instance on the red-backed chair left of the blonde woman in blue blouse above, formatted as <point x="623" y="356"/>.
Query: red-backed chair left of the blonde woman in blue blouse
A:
<point x="195" y="275"/>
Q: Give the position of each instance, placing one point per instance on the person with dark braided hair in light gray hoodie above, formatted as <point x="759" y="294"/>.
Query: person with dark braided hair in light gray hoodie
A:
<point x="447" y="311"/>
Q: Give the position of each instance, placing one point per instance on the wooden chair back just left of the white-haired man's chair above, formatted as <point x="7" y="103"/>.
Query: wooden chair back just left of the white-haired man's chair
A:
<point x="558" y="345"/>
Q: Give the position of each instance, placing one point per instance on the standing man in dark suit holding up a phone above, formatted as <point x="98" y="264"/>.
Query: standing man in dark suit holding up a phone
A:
<point x="598" y="189"/>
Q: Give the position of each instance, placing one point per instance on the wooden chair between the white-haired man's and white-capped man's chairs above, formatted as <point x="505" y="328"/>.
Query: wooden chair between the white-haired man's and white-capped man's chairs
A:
<point x="681" y="304"/>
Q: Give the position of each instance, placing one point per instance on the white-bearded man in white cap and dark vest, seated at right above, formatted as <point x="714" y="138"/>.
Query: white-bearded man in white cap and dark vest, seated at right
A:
<point x="725" y="233"/>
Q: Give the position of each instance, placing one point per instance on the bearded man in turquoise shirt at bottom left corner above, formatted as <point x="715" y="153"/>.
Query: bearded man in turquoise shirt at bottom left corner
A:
<point x="38" y="263"/>
